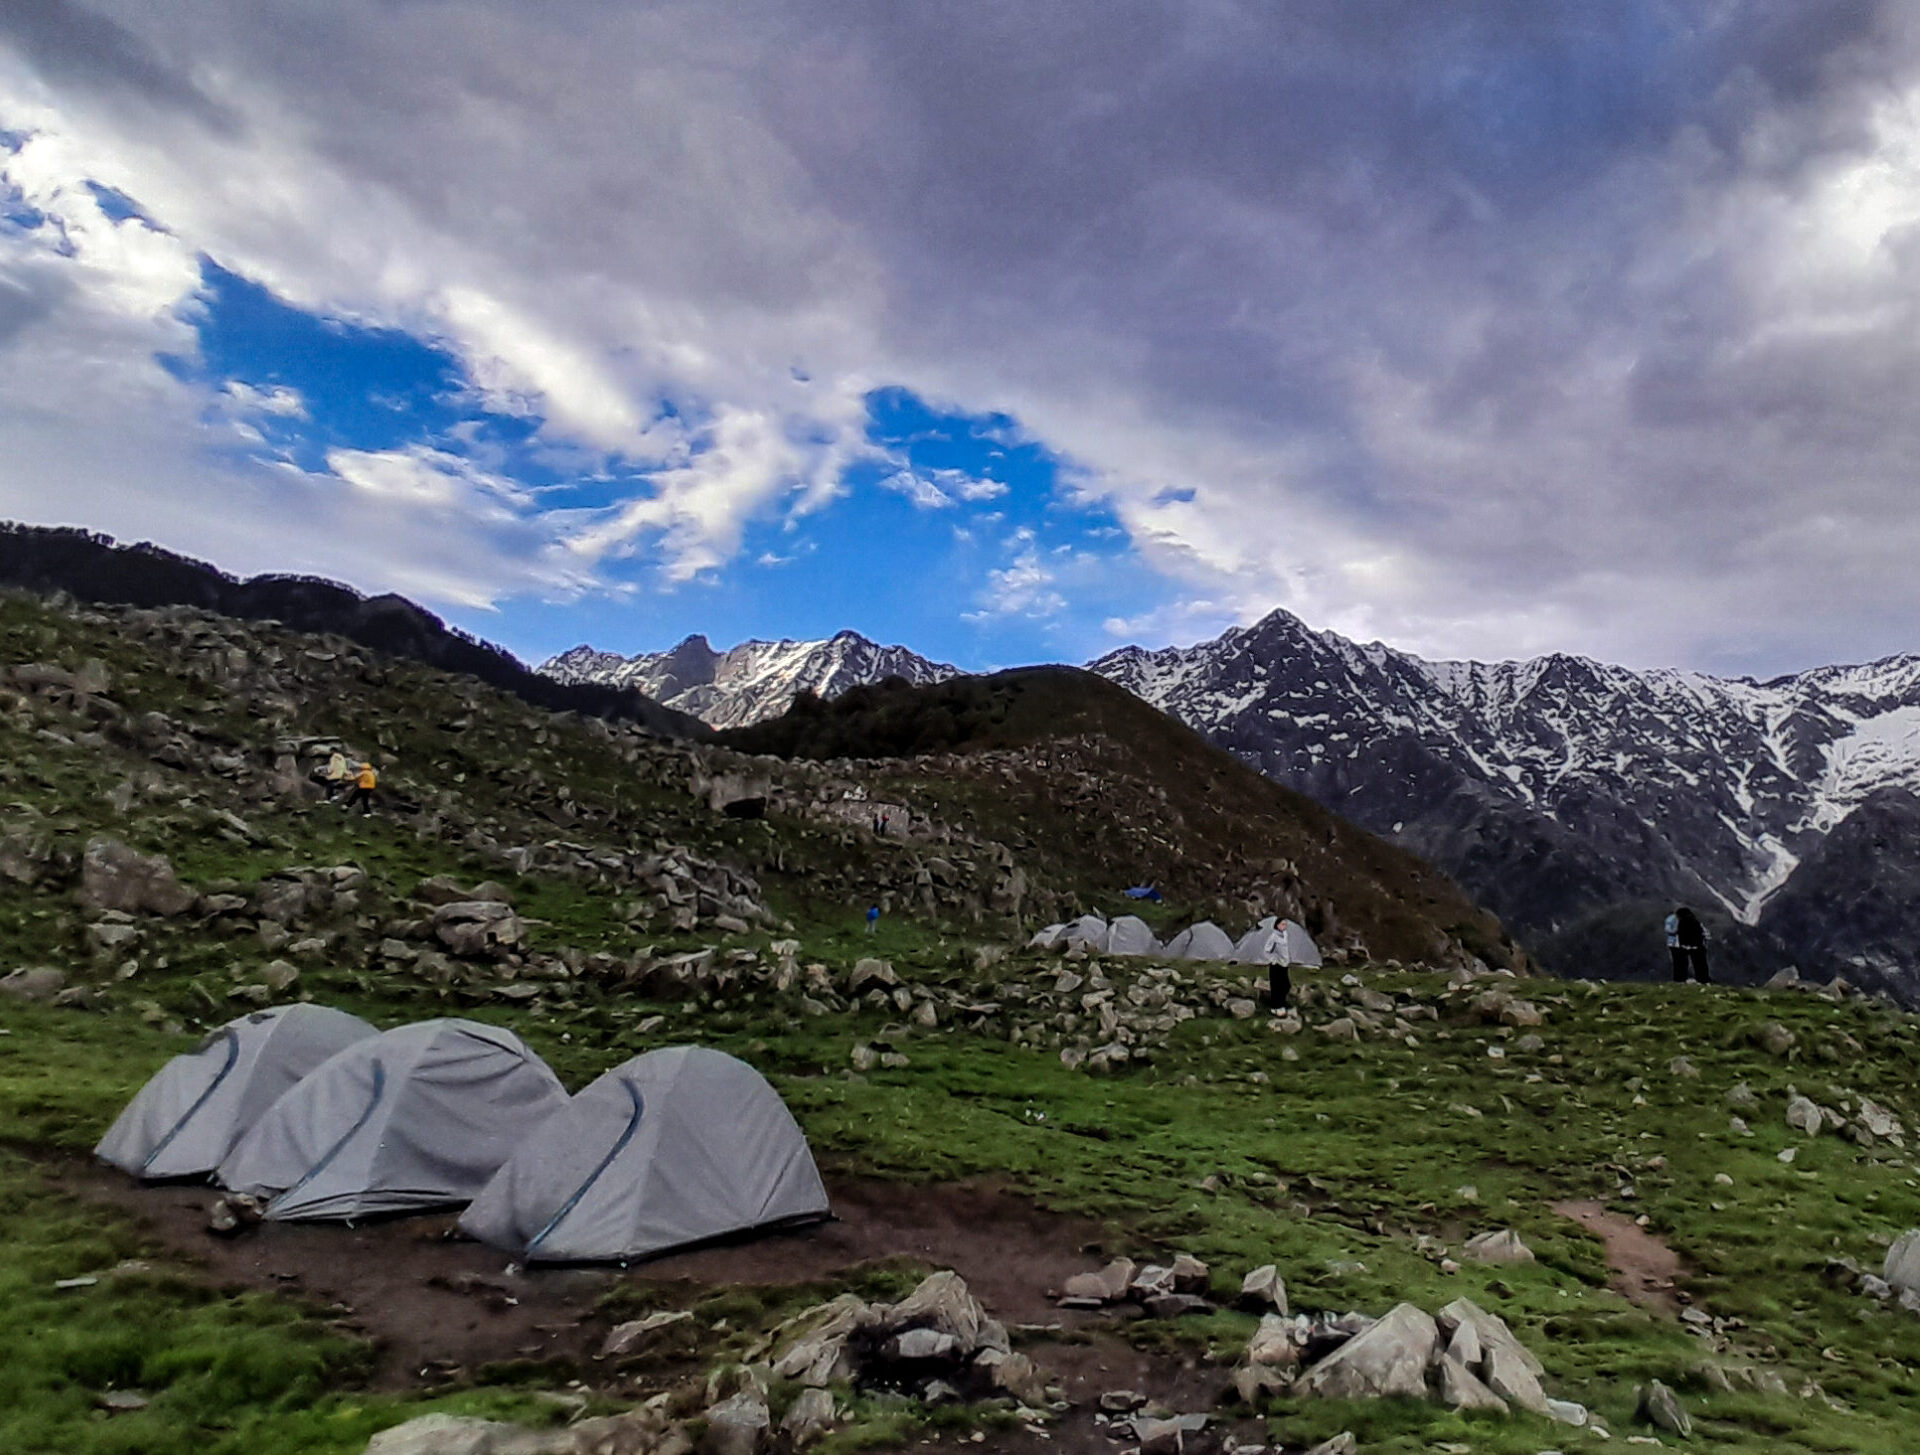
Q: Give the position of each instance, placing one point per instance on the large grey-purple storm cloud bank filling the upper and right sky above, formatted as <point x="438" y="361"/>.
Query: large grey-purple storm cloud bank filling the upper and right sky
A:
<point x="1481" y="327"/>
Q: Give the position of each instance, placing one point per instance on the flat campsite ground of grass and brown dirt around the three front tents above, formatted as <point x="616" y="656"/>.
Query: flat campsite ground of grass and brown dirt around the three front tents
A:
<point x="1351" y="1168"/>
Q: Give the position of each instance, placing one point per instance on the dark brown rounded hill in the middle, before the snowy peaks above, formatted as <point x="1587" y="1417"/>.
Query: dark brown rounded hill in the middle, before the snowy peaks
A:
<point x="1109" y="792"/>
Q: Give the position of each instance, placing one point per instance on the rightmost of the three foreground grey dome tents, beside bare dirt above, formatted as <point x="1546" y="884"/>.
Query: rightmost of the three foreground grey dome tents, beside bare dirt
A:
<point x="669" y="1149"/>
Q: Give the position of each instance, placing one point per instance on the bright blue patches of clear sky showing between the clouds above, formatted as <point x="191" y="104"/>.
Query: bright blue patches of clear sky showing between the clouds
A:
<point x="957" y="535"/>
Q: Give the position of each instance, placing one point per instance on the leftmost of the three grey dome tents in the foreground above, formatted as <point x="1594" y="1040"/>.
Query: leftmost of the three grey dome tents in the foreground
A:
<point x="189" y="1116"/>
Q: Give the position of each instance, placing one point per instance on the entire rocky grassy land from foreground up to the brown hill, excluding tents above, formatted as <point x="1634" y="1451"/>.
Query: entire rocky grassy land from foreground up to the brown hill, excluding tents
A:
<point x="1084" y="1203"/>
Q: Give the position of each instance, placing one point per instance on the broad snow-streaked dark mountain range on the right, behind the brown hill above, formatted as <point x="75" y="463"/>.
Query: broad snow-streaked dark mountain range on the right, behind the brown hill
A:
<point x="1573" y="798"/>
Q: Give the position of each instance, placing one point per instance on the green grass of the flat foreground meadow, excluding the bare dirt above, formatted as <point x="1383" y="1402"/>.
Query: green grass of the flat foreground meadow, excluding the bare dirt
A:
<point x="1343" y="1158"/>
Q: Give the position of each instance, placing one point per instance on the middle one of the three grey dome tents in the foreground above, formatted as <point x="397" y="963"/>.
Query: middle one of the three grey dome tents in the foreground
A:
<point x="416" y="1118"/>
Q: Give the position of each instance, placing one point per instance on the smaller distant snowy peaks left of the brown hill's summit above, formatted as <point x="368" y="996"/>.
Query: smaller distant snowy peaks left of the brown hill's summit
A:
<point x="750" y="682"/>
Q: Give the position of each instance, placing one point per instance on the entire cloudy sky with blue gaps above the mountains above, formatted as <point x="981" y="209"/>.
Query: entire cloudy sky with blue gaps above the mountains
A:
<point x="1005" y="331"/>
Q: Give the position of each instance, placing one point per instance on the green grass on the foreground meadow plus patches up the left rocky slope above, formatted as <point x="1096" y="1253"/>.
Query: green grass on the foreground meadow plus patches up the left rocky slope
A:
<point x="1343" y="1157"/>
